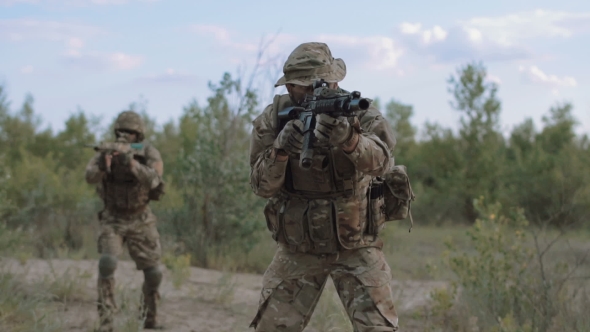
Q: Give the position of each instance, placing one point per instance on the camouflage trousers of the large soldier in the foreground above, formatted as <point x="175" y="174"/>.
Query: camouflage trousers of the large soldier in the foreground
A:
<point x="293" y="283"/>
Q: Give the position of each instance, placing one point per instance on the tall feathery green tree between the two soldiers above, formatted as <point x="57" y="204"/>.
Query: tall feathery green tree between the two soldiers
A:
<point x="213" y="168"/>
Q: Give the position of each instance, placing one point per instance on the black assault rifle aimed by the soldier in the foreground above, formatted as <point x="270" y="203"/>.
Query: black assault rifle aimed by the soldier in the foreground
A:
<point x="324" y="100"/>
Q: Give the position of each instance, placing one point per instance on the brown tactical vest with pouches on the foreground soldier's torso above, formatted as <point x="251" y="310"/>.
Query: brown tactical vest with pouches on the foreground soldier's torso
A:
<point x="323" y="209"/>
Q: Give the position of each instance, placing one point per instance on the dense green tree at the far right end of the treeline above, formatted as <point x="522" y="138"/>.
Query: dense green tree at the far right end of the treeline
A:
<point x="552" y="164"/>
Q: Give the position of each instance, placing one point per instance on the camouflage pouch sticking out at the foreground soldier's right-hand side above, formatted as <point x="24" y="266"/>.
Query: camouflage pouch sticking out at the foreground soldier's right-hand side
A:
<point x="398" y="194"/>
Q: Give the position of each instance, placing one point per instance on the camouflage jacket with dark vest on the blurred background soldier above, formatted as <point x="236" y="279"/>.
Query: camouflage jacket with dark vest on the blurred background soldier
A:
<point x="126" y="190"/>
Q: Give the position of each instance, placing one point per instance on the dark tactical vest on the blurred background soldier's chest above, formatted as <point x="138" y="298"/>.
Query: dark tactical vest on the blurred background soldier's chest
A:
<point x="123" y="194"/>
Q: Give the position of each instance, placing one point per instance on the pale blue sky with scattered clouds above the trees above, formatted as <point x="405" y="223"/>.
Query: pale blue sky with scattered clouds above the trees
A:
<point x="102" y="55"/>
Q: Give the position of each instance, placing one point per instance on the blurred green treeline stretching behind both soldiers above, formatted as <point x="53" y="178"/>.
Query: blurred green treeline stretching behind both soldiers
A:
<point x="209" y="206"/>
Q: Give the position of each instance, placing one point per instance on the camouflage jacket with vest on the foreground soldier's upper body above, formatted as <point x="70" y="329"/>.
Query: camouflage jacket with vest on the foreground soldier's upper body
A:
<point x="295" y="215"/>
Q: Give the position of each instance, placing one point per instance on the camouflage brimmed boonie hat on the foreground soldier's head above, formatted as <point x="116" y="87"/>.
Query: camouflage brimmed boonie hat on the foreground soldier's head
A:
<point x="310" y="62"/>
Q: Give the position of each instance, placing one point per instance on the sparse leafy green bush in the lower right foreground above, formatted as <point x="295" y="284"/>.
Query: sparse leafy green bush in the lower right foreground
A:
<point x="506" y="283"/>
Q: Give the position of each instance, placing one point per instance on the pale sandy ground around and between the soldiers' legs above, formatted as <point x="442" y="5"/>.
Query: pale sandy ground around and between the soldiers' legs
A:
<point x="207" y="300"/>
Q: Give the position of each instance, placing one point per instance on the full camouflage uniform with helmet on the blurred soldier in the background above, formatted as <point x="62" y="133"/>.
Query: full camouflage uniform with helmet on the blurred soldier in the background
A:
<point x="127" y="218"/>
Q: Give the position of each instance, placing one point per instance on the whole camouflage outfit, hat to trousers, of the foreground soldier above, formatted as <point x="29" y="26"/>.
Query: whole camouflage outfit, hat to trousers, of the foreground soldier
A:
<point x="320" y="217"/>
